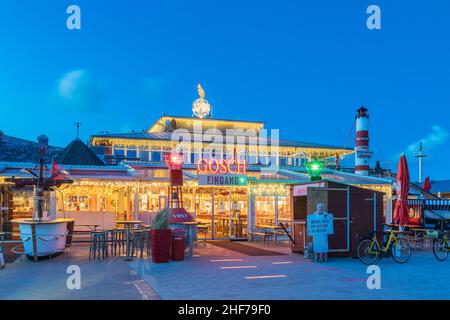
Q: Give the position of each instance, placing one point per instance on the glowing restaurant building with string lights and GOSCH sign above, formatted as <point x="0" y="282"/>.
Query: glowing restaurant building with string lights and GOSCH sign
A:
<point x="237" y="175"/>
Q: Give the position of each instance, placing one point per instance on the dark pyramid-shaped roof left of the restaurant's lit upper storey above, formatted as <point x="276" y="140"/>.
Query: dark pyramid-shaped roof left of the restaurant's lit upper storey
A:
<point x="77" y="153"/>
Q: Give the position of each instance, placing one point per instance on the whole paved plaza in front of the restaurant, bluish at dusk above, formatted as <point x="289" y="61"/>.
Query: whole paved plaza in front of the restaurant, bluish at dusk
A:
<point x="217" y="273"/>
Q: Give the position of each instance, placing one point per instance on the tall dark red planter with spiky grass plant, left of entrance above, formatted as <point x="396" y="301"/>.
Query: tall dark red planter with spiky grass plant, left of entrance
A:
<point x="161" y="236"/>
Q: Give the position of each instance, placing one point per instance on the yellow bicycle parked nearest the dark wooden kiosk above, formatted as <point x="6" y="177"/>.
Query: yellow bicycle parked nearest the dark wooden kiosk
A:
<point x="369" y="250"/>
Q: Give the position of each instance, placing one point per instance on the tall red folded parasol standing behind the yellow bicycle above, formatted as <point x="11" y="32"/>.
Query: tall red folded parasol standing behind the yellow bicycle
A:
<point x="401" y="206"/>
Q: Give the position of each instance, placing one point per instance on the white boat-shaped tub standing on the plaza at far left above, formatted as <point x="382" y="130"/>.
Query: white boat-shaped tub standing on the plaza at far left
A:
<point x="45" y="237"/>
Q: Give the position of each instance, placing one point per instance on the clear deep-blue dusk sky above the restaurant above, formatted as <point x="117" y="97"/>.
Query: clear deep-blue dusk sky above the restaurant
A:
<point x="303" y="67"/>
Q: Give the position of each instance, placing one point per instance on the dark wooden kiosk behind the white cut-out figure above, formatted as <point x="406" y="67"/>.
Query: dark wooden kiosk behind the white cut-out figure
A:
<point x="356" y="211"/>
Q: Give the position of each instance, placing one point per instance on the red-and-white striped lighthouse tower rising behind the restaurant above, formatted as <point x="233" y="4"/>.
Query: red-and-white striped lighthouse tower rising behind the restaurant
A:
<point x="362" y="153"/>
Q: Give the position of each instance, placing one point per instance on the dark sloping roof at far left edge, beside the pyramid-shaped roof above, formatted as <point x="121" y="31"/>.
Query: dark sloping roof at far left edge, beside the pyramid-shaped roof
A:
<point x="21" y="150"/>
